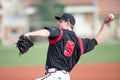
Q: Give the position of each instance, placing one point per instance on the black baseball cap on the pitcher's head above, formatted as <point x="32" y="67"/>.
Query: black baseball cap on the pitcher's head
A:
<point x="67" y="17"/>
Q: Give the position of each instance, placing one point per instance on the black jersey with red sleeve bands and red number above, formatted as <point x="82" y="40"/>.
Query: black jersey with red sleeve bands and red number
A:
<point x="65" y="49"/>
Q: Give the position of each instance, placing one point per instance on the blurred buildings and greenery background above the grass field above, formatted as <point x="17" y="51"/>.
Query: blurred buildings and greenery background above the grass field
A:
<point x="21" y="16"/>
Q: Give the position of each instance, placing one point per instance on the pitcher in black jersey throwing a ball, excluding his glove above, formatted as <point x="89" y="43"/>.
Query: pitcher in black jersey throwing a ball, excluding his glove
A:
<point x="65" y="48"/>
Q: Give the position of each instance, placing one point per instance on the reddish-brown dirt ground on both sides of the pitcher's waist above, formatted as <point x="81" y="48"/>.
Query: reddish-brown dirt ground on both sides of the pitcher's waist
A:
<point x="80" y="72"/>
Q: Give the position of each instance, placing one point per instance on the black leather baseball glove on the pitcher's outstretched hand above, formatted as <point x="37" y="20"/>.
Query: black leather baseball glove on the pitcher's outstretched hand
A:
<point x="24" y="44"/>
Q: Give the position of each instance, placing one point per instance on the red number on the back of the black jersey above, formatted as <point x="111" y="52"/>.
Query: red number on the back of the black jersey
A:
<point x="69" y="47"/>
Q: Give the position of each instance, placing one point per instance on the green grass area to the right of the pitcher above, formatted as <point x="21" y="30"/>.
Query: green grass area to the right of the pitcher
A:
<point x="105" y="52"/>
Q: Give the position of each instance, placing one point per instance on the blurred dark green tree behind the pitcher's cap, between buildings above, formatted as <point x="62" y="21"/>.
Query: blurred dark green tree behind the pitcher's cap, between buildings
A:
<point x="48" y="9"/>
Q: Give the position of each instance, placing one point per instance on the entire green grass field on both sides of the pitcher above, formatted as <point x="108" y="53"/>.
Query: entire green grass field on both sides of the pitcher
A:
<point x="103" y="53"/>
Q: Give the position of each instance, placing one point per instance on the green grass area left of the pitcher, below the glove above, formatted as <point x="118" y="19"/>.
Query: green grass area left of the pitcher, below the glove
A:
<point x="9" y="56"/>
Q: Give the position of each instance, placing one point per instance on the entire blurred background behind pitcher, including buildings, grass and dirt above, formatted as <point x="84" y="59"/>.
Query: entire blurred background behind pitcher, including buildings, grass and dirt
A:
<point x="21" y="16"/>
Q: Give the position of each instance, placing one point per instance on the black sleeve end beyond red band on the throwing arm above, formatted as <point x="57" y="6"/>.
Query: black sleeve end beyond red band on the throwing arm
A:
<point x="89" y="44"/>
